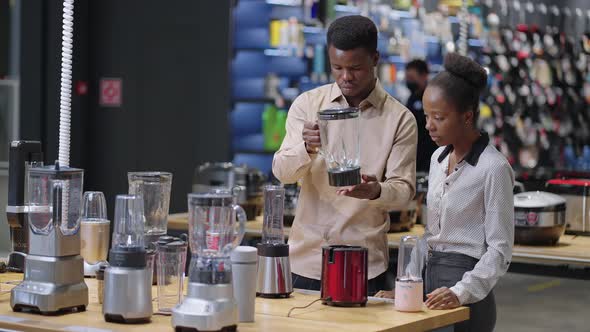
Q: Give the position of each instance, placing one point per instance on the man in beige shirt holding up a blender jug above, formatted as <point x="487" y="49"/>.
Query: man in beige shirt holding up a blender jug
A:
<point x="355" y="215"/>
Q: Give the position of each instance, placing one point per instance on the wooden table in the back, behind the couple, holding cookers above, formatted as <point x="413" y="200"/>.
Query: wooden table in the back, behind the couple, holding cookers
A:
<point x="571" y="249"/>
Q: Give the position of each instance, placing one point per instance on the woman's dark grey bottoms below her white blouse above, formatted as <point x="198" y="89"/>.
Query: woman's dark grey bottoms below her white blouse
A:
<point x="445" y="270"/>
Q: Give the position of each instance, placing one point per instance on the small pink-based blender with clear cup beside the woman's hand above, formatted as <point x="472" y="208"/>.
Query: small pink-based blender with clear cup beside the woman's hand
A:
<point x="409" y="288"/>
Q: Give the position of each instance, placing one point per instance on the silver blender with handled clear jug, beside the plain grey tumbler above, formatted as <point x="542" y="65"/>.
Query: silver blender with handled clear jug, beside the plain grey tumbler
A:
<point x="213" y="234"/>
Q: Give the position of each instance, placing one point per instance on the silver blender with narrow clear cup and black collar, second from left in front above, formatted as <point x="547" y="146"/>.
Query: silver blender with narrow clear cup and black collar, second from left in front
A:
<point x="128" y="278"/>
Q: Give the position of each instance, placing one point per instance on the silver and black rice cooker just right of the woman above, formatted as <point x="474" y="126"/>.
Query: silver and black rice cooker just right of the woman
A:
<point x="539" y="218"/>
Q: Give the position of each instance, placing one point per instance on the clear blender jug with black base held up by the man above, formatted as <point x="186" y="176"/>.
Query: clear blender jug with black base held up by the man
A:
<point x="340" y="135"/>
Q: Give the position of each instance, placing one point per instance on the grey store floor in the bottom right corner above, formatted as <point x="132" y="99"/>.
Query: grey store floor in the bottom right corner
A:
<point x="528" y="303"/>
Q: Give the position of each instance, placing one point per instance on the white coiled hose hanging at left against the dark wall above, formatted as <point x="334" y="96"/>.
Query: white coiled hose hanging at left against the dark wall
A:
<point x="65" y="96"/>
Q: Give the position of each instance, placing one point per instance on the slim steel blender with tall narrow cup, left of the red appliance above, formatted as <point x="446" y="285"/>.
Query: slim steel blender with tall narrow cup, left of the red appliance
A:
<point x="274" y="268"/>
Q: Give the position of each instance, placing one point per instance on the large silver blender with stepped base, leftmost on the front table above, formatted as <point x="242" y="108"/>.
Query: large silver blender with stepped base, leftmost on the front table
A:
<point x="54" y="278"/>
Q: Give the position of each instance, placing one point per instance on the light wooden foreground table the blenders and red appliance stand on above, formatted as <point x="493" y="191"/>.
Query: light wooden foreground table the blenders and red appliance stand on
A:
<point x="271" y="315"/>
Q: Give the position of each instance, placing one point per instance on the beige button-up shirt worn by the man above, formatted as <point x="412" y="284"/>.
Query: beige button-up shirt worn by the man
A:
<point x="388" y="137"/>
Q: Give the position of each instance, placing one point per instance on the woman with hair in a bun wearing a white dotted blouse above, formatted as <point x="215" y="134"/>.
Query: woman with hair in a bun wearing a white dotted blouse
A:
<point x="470" y="230"/>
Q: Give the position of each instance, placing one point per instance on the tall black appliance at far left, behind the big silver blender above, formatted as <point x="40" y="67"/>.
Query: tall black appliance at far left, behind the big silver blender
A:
<point x="22" y="155"/>
